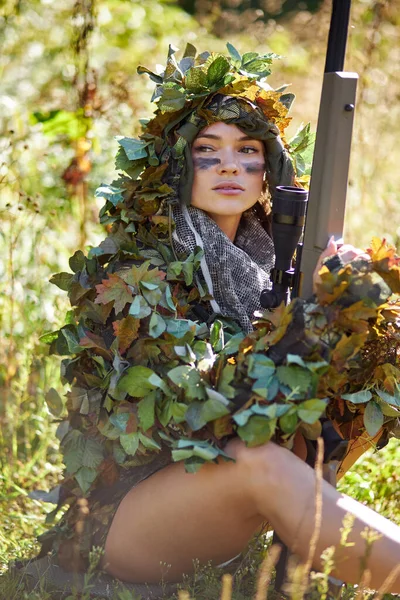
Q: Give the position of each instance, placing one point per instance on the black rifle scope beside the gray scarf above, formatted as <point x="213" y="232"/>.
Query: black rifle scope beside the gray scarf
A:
<point x="288" y="217"/>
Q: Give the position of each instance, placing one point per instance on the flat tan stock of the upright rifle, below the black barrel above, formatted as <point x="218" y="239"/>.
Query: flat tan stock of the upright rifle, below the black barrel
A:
<point x="330" y="170"/>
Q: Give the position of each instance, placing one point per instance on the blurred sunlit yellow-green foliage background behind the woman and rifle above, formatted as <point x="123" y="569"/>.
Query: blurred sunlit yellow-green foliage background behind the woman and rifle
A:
<point x="68" y="85"/>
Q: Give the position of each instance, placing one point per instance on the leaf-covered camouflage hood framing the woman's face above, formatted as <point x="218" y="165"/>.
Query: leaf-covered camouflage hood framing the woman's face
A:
<point x="190" y="94"/>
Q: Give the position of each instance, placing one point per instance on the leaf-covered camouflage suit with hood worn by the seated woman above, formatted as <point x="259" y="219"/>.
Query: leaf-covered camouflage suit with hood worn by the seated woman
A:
<point x="165" y="367"/>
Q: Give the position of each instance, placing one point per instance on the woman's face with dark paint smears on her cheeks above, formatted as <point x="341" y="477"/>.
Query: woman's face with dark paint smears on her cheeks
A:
<point x="229" y="170"/>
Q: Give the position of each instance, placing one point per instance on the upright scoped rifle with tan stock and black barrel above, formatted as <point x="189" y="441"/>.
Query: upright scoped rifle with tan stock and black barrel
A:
<point x="323" y="214"/>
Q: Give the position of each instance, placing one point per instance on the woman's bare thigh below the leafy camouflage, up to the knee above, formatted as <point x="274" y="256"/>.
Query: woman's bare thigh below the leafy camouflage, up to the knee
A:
<point x="175" y="517"/>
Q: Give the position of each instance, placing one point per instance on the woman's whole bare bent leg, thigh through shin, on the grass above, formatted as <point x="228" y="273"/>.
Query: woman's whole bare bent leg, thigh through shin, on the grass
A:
<point x="175" y="517"/>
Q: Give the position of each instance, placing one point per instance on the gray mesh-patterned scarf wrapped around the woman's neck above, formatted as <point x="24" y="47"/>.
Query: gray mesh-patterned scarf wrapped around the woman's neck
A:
<point x="236" y="272"/>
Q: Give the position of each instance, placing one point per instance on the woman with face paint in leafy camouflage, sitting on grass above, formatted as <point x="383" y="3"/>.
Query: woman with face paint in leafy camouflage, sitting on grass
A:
<point x="187" y="258"/>
